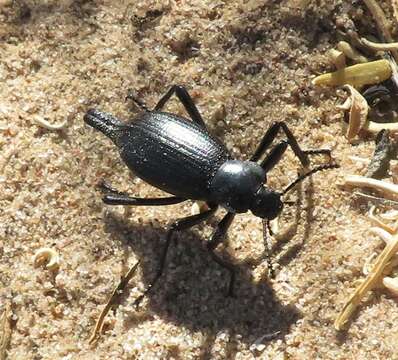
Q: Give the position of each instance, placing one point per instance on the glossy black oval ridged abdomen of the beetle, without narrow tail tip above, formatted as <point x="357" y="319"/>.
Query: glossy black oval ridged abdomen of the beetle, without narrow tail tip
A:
<point x="172" y="153"/>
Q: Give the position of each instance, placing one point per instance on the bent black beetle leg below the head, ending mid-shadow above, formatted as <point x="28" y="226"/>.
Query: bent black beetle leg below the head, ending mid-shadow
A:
<point x="218" y="236"/>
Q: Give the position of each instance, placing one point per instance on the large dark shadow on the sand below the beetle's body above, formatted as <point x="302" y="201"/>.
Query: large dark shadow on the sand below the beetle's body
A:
<point x="192" y="290"/>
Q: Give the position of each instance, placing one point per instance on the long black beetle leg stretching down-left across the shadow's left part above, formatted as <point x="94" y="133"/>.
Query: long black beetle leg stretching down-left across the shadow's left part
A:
<point x="181" y="224"/>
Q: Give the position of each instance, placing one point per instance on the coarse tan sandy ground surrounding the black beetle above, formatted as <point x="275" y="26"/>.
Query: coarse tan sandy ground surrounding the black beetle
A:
<point x="246" y="64"/>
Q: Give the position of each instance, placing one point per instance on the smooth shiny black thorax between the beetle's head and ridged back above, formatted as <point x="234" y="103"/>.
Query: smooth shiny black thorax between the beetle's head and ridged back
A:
<point x="235" y="185"/>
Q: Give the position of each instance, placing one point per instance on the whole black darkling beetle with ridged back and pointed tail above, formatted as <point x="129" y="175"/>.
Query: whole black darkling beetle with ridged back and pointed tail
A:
<point x="181" y="157"/>
